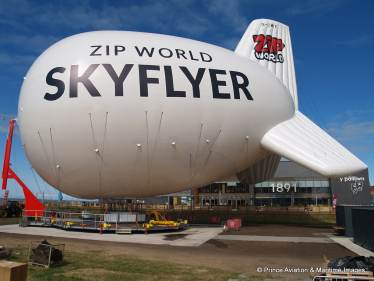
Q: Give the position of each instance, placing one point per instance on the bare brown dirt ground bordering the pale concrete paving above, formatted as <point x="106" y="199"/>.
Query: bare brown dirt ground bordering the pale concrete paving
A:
<point x="243" y="257"/>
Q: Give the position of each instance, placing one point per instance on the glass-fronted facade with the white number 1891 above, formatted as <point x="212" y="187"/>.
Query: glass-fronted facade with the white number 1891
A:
<point x="303" y="192"/>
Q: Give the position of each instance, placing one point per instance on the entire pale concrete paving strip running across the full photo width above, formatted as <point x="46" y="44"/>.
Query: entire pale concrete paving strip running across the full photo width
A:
<point x="192" y="237"/>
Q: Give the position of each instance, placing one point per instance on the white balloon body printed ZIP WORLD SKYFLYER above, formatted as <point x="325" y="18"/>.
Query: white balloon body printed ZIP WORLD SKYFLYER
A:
<point x="115" y="114"/>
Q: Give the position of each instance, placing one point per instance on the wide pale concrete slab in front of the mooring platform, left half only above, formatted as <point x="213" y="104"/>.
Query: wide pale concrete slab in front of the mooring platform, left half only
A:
<point x="192" y="237"/>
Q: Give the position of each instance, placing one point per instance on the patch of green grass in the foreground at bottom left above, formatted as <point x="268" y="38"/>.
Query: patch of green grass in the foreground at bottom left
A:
<point x="95" y="265"/>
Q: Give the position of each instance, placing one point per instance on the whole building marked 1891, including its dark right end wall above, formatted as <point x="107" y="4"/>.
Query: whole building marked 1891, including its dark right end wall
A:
<point x="292" y="185"/>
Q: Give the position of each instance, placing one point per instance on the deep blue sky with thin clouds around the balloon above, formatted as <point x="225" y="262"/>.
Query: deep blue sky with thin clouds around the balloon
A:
<point x="332" y="45"/>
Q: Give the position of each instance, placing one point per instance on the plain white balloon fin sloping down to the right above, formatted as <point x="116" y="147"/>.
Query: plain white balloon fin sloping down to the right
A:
<point x="303" y="142"/>
